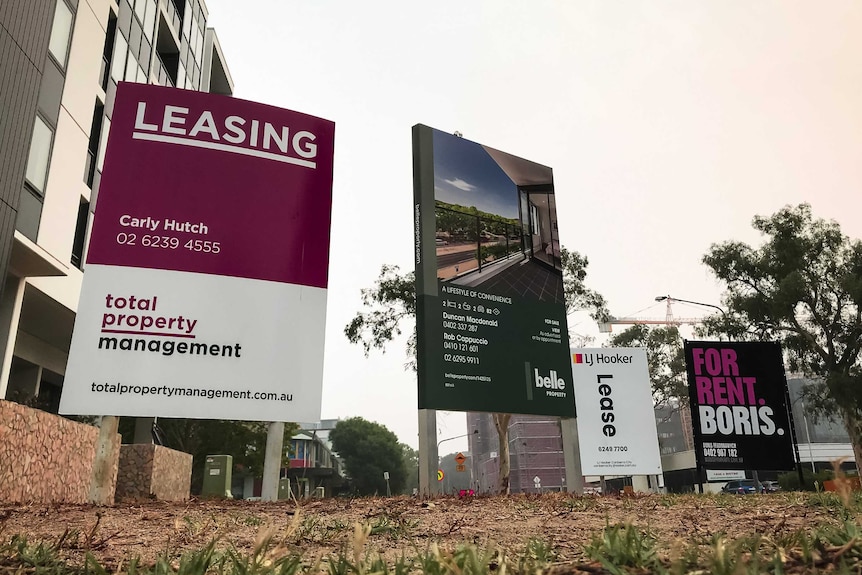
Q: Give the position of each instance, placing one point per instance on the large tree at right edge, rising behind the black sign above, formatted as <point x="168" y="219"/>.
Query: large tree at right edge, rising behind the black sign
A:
<point x="803" y="286"/>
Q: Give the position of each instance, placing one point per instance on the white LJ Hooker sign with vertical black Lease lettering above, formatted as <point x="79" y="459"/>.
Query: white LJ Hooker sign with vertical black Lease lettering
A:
<point x="616" y="422"/>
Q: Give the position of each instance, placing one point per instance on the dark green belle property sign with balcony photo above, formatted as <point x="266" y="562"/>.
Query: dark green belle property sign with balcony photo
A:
<point x="491" y="314"/>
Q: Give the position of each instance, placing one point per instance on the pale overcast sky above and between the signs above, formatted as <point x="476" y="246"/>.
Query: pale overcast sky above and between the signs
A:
<point x="668" y="124"/>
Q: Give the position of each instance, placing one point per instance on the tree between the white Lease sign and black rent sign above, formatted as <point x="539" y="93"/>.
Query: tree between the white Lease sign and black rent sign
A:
<point x="665" y="357"/>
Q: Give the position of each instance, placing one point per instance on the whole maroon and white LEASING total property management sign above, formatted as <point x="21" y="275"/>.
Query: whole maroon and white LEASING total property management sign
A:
<point x="204" y="293"/>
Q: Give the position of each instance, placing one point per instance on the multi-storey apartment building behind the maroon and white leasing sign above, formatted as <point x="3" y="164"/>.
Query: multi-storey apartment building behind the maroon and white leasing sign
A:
<point x="60" y="62"/>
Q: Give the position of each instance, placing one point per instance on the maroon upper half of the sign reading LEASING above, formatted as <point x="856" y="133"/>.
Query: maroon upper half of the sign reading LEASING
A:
<point x="200" y="193"/>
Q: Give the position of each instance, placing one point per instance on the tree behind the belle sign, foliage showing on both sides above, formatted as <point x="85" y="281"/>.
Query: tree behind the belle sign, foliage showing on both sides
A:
<point x="393" y="300"/>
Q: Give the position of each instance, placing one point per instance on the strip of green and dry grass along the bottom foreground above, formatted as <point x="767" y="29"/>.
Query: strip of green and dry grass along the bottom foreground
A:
<point x="618" y="549"/>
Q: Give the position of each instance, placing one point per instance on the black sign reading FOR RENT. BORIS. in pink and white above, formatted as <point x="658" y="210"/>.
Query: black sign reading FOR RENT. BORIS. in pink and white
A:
<point x="738" y="405"/>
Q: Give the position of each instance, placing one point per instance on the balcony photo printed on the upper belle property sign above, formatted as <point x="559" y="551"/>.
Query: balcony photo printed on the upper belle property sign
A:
<point x="491" y="233"/>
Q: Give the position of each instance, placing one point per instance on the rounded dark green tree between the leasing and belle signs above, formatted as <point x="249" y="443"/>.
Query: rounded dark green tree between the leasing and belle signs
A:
<point x="369" y="449"/>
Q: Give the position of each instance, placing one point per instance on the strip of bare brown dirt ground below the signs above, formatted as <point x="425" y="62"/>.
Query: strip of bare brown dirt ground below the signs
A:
<point x="316" y="527"/>
